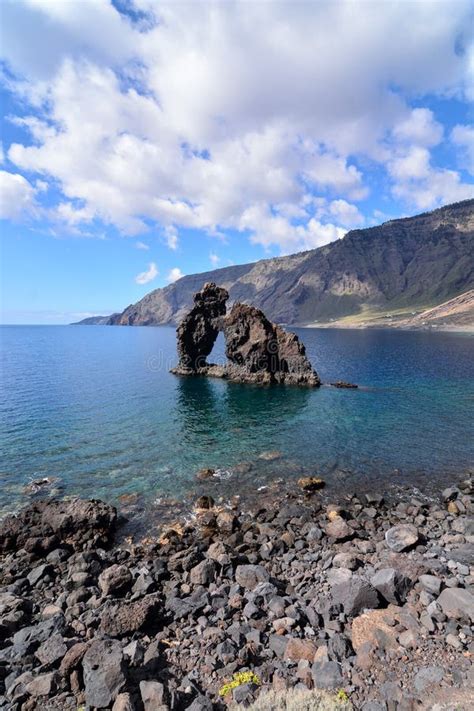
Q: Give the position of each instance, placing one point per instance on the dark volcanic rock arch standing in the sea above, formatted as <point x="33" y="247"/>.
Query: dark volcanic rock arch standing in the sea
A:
<point x="257" y="350"/>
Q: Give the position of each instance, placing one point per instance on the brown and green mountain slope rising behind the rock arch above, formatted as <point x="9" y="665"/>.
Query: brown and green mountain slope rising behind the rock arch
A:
<point x="415" y="262"/>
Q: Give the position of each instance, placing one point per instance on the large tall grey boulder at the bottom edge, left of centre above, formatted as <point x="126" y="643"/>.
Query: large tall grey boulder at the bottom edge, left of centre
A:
<point x="103" y="670"/>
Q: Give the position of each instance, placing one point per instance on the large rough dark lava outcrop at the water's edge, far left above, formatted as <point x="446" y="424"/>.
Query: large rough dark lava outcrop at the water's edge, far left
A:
<point x="79" y="523"/>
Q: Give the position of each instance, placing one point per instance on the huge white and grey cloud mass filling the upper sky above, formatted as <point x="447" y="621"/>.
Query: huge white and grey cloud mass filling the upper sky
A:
<point x="193" y="117"/>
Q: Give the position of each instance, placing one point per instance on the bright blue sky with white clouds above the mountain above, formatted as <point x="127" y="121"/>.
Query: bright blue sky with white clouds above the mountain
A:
<point x="144" y="140"/>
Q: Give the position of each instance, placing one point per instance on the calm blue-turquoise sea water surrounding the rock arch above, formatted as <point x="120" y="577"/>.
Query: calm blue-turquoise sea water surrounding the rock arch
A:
<point x="97" y="408"/>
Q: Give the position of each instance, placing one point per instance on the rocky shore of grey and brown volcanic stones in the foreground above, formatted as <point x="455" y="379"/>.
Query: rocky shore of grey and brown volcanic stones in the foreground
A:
<point x="370" y="602"/>
